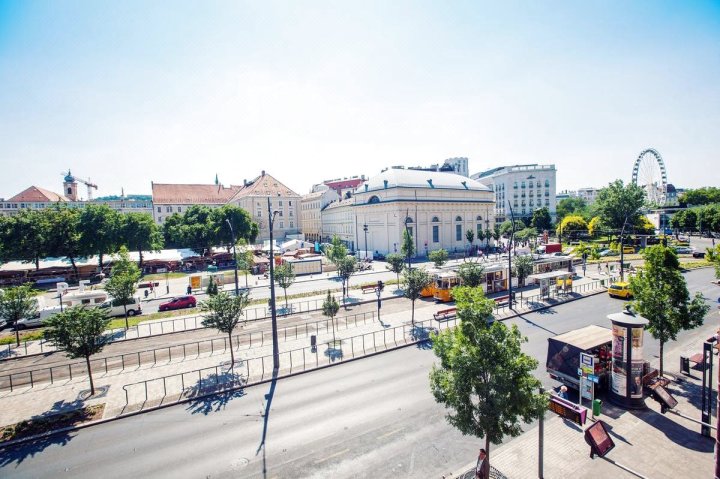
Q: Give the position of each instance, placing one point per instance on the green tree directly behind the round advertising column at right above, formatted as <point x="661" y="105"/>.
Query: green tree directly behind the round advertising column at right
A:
<point x="661" y="296"/>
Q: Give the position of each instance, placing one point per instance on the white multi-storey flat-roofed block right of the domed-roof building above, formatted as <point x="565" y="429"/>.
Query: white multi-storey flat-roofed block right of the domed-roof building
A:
<point x="525" y="188"/>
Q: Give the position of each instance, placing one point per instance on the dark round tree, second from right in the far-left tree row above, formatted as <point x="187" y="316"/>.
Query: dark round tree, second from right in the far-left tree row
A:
<point x="99" y="228"/>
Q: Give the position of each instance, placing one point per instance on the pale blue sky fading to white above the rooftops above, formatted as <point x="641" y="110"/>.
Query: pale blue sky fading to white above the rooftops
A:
<point x="126" y="93"/>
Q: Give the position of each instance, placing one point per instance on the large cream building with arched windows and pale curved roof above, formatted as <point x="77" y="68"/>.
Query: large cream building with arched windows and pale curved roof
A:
<point x="437" y="208"/>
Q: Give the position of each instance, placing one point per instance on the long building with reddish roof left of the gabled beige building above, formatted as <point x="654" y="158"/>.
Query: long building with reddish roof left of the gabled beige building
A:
<point x="177" y="198"/>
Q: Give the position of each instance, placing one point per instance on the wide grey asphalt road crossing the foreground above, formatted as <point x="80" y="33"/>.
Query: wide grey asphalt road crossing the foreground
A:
<point x="369" y="418"/>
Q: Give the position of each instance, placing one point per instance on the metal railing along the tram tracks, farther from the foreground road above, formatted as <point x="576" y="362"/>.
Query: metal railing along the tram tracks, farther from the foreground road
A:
<point x="167" y="354"/>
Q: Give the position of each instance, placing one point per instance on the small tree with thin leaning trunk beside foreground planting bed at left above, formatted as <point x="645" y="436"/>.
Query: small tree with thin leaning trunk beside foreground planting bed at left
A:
<point x="79" y="332"/>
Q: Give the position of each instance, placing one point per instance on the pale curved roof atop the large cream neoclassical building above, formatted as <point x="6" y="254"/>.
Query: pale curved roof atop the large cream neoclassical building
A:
<point x="404" y="178"/>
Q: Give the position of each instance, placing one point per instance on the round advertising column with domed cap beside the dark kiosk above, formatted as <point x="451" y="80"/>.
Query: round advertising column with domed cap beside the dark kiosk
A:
<point x="626" y="387"/>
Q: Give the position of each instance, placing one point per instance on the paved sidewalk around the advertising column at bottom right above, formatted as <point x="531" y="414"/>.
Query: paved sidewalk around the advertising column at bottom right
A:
<point x="646" y="441"/>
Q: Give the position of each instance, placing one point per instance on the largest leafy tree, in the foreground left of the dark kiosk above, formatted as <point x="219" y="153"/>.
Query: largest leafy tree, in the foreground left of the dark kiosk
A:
<point x="484" y="377"/>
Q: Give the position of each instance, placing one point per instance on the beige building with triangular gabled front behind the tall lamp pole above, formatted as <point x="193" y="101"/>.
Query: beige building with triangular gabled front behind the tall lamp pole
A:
<point x="253" y="197"/>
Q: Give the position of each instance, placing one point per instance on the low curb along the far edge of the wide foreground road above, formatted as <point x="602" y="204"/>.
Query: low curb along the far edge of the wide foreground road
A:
<point x="4" y="445"/>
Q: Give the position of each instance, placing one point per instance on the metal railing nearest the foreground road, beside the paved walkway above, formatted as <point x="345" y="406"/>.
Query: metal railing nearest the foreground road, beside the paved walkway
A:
<point x="204" y="381"/>
